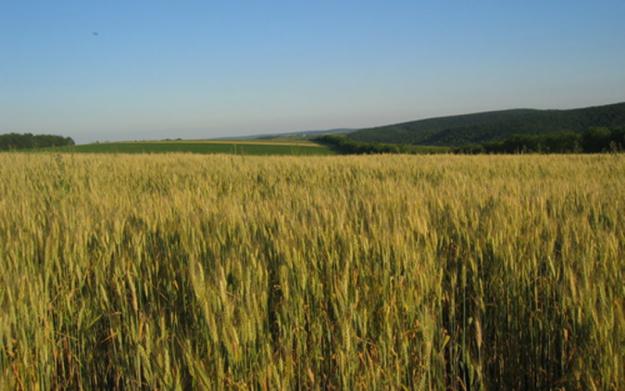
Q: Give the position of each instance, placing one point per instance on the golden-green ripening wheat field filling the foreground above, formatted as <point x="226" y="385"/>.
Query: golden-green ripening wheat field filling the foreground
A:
<point x="179" y="271"/>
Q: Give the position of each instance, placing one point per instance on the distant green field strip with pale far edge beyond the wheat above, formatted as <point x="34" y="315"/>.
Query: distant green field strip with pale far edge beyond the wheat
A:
<point x="291" y="147"/>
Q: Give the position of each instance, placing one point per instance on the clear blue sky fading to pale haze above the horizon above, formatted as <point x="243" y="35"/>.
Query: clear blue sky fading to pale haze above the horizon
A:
<point x="141" y="69"/>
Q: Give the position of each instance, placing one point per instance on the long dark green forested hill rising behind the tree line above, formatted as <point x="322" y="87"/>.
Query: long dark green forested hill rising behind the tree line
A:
<point x="493" y="126"/>
